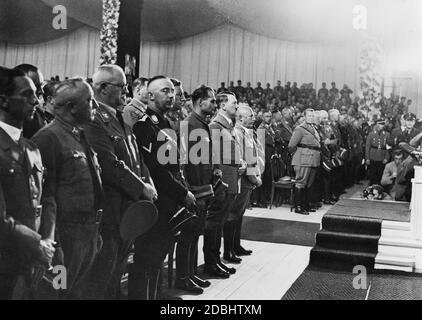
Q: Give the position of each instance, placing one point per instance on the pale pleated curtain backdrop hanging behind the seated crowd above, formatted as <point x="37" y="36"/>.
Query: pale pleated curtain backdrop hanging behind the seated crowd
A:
<point x="223" y="54"/>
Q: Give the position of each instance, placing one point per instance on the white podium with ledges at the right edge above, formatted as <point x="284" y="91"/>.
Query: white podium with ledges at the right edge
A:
<point x="400" y="245"/>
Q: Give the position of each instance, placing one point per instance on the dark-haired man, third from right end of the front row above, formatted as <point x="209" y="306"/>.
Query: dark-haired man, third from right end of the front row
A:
<point x="197" y="175"/>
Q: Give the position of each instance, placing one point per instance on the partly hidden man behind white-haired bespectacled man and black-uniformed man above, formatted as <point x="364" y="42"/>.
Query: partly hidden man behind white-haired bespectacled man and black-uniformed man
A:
<point x="135" y="110"/>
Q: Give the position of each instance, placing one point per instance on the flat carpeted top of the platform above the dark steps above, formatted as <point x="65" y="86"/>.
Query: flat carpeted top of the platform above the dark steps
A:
<point x="372" y="209"/>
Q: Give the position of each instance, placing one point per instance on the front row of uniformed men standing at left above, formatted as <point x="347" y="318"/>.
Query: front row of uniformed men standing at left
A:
<point x="63" y="193"/>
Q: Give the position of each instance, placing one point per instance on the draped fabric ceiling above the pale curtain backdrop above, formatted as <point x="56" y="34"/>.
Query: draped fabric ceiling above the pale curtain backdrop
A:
<point x="30" y="21"/>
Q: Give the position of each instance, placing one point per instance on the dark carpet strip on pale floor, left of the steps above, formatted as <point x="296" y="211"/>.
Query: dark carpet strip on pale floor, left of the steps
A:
<point x="279" y="231"/>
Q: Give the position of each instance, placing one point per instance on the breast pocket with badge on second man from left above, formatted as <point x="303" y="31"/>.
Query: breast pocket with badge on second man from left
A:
<point x="75" y="165"/>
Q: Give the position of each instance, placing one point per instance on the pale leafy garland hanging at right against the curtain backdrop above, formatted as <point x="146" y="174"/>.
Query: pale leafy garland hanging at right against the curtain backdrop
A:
<point x="371" y="65"/>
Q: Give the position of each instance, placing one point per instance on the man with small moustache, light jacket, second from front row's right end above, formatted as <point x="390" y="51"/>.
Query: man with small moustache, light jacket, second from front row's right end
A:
<point x="226" y="157"/>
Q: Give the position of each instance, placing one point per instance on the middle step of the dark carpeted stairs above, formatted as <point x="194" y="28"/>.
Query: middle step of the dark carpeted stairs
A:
<point x="347" y="241"/>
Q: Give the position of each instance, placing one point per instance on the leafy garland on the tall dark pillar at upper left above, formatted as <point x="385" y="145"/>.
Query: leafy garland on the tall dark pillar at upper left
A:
<point x="108" y="34"/>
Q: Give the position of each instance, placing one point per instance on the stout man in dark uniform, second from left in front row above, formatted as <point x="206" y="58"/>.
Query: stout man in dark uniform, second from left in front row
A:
<point x="73" y="190"/>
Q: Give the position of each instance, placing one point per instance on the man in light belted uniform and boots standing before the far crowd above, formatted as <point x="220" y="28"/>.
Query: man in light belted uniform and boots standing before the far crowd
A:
<point x="306" y="146"/>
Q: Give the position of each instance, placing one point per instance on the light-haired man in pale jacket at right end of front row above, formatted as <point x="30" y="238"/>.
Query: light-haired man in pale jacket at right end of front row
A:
<point x="249" y="180"/>
